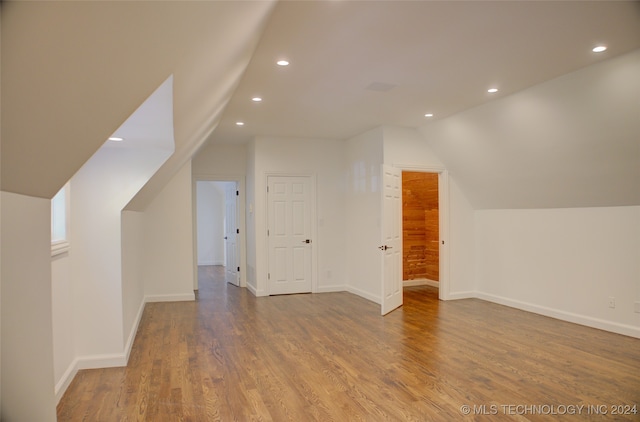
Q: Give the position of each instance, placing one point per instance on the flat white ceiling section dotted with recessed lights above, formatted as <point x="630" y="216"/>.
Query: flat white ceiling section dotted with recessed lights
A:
<point x="437" y="56"/>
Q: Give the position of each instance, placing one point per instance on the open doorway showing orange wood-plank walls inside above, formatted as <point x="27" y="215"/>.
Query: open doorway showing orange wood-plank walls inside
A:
<point x="420" y="228"/>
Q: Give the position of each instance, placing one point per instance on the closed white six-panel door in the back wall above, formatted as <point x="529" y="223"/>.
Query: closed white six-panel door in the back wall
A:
<point x="289" y="234"/>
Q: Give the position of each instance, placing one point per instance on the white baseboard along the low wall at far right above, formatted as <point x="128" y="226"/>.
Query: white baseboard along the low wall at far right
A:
<point x="614" y="327"/>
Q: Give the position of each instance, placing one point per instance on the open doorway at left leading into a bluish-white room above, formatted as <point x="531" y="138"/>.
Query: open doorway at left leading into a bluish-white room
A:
<point x="217" y="229"/>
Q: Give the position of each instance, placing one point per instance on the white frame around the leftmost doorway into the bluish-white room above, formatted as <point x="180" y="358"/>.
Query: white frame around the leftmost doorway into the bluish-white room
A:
<point x="241" y="221"/>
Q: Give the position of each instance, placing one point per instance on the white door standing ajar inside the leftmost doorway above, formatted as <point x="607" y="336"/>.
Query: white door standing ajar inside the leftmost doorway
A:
<point x="232" y="263"/>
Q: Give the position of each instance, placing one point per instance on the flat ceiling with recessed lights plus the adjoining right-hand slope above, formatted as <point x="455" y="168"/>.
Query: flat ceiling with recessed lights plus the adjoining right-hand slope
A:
<point x="356" y="65"/>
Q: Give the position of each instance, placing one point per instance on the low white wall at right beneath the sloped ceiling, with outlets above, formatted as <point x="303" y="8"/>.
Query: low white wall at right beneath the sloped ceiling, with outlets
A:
<point x="564" y="263"/>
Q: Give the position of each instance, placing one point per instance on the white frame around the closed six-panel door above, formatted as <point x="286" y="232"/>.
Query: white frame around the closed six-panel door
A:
<point x="314" y="224"/>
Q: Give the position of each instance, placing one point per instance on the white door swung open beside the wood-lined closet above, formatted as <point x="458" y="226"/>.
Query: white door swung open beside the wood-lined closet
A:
<point x="391" y="245"/>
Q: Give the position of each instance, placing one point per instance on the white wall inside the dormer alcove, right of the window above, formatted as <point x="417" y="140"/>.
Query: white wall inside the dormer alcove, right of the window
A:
<point x="100" y="190"/>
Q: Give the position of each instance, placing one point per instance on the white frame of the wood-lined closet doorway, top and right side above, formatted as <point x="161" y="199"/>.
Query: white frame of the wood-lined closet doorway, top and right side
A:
<point x="444" y="289"/>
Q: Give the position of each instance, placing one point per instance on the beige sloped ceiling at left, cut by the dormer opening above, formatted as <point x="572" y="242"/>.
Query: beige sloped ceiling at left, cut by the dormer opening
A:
<point x="73" y="72"/>
